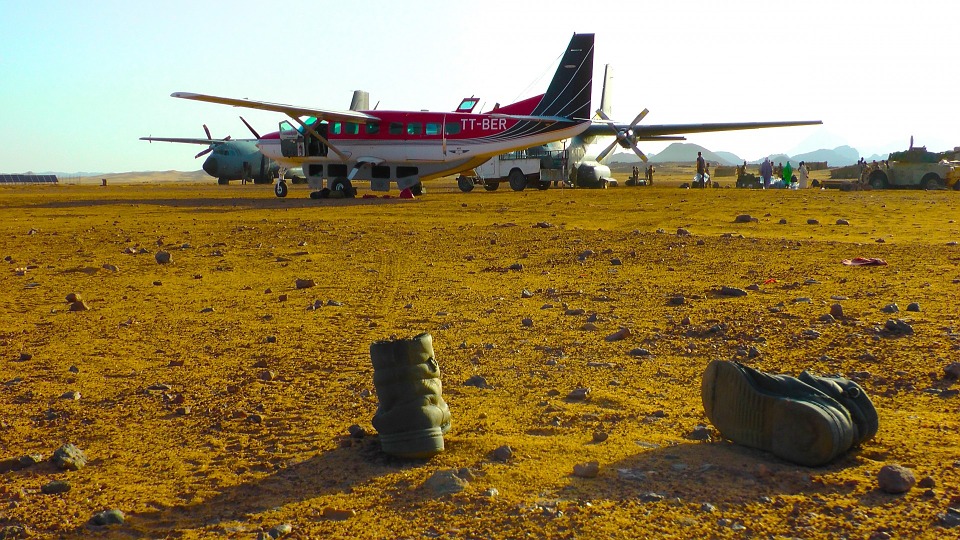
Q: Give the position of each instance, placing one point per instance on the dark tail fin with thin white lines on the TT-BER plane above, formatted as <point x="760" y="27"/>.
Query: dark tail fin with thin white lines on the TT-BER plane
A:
<point x="569" y="93"/>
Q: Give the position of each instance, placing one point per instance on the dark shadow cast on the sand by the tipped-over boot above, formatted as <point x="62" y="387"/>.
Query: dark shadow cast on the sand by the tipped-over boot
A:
<point x="708" y="472"/>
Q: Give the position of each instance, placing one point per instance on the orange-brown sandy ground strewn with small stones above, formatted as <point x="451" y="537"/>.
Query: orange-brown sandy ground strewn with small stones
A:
<point x="249" y="450"/>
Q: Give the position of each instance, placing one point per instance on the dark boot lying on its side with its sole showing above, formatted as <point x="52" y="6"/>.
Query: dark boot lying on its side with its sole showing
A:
<point x="808" y="420"/>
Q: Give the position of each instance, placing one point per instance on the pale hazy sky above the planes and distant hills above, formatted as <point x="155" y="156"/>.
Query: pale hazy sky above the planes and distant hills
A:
<point x="80" y="82"/>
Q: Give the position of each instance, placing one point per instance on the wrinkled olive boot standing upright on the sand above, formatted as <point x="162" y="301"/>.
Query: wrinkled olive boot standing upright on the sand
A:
<point x="412" y="416"/>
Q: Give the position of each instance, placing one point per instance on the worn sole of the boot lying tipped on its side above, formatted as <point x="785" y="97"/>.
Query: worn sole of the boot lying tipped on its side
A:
<point x="802" y="432"/>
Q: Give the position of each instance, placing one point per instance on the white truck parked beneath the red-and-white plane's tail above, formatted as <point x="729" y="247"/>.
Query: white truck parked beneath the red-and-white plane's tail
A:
<point x="533" y="167"/>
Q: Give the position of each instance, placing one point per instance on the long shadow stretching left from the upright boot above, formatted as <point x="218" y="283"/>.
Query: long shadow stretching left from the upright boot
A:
<point x="332" y="472"/>
